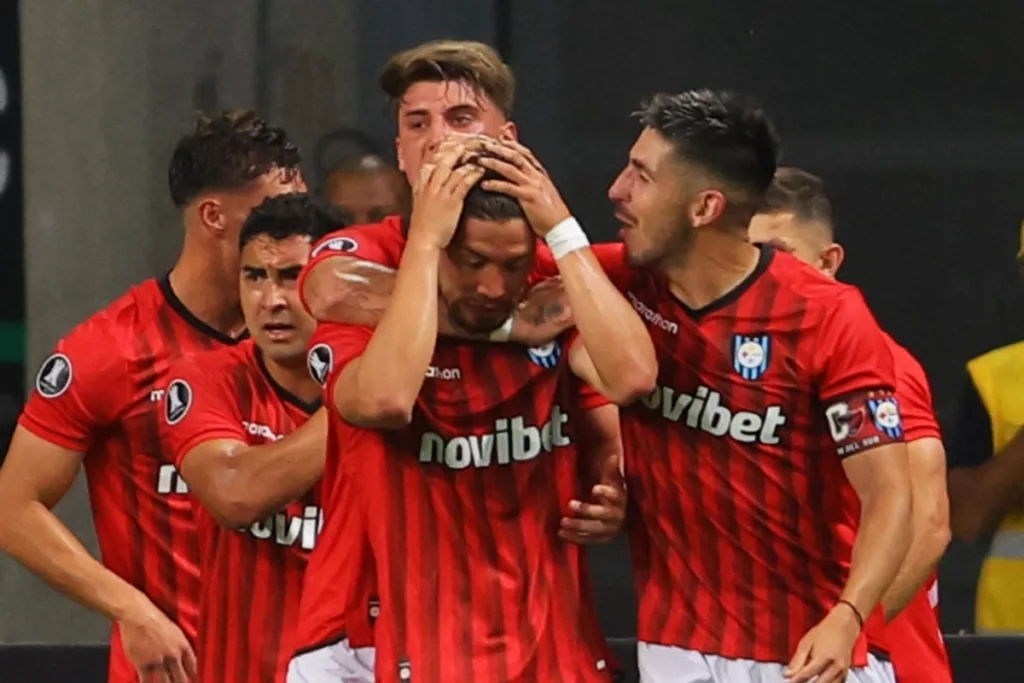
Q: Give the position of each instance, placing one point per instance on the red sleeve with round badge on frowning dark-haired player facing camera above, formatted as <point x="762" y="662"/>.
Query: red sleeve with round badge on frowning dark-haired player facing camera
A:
<point x="199" y="406"/>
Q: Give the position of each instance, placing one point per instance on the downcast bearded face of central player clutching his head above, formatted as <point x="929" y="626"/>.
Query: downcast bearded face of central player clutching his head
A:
<point x="484" y="273"/>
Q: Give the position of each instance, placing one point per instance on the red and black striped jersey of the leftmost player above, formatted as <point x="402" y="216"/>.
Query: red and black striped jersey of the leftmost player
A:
<point x="100" y="394"/>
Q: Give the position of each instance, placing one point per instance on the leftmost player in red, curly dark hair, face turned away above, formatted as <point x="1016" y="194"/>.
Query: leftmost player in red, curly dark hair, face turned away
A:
<point x="97" y="404"/>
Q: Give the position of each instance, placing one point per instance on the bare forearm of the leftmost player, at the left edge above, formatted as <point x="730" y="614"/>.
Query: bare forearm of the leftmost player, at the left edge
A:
<point x="37" y="539"/>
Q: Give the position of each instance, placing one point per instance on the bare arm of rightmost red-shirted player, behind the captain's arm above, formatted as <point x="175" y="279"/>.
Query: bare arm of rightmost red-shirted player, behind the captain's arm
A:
<point x="929" y="522"/>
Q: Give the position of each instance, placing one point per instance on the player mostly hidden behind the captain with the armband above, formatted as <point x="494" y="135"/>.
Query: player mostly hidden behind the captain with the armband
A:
<point x="798" y="219"/>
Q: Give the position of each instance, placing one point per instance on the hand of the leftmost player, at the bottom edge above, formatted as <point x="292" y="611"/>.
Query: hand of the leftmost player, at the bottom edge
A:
<point x="157" y="648"/>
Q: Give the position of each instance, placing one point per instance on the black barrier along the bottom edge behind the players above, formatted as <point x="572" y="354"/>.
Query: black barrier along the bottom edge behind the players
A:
<point x="975" y="660"/>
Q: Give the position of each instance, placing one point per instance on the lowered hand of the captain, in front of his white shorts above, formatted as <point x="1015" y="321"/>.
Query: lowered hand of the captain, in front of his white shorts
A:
<point x="827" y="651"/>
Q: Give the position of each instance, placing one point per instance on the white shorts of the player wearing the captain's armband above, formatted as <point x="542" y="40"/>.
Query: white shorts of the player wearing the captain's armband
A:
<point x="661" y="664"/>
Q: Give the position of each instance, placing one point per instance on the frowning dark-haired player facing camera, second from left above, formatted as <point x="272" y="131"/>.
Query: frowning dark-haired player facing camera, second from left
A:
<point x="227" y="411"/>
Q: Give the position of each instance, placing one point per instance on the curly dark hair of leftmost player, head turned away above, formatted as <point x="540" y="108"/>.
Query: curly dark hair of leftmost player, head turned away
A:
<point x="227" y="151"/>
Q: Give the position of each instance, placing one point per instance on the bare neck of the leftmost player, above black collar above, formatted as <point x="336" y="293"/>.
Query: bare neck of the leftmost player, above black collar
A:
<point x="209" y="293"/>
